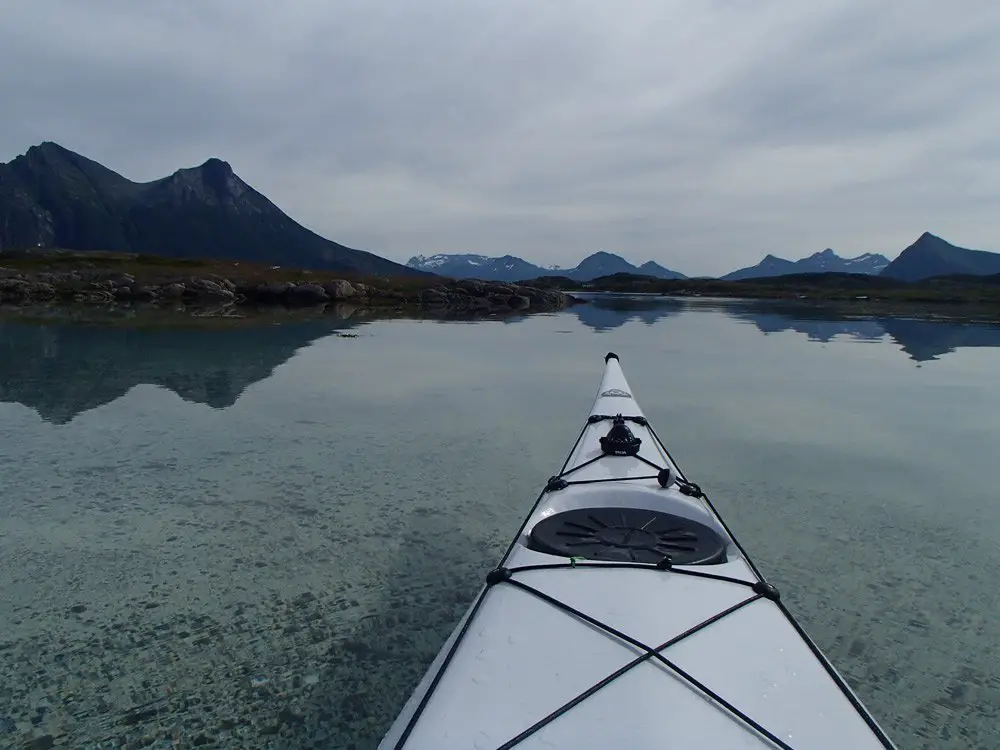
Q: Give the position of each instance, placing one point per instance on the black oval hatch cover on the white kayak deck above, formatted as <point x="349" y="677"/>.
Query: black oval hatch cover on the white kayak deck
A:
<point x="628" y="535"/>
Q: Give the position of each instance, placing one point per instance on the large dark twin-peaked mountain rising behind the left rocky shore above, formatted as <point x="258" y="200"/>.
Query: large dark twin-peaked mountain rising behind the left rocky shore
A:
<point x="53" y="197"/>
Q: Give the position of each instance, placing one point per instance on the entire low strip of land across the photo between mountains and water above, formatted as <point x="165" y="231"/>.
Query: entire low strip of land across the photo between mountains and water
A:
<point x="68" y="279"/>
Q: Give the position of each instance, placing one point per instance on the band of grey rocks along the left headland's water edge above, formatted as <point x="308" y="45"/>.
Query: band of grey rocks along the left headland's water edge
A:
<point x="94" y="286"/>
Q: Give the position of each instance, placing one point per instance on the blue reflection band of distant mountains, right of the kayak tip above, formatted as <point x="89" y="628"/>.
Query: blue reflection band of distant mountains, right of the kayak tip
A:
<point x="921" y="339"/>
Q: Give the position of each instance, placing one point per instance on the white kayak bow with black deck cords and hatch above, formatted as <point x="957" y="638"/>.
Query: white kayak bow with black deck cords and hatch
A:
<point x="626" y="614"/>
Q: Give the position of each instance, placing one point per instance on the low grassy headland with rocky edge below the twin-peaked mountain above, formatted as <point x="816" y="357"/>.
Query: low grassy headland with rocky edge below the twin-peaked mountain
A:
<point x="77" y="278"/>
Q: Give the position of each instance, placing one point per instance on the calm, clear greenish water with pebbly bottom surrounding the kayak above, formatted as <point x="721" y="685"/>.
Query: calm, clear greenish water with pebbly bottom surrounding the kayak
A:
<point x="260" y="537"/>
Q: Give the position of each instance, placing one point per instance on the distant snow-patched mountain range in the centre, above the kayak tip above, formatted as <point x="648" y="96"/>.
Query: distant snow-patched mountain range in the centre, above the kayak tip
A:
<point x="512" y="268"/>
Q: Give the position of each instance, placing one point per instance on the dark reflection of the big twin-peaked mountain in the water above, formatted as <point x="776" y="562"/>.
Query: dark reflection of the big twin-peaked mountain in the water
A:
<point x="61" y="369"/>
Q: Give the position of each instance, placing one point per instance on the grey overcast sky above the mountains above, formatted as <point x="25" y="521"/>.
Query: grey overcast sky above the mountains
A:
<point x="700" y="134"/>
